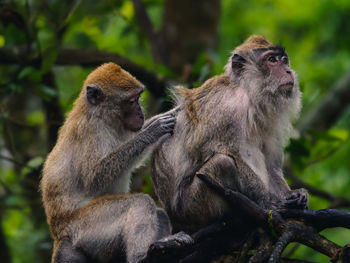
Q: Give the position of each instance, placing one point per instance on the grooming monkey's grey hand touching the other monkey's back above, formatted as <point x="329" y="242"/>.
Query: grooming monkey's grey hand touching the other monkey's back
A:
<point x="160" y="125"/>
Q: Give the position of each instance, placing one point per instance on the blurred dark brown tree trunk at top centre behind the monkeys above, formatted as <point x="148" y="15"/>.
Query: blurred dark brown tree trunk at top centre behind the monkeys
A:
<point x="189" y="28"/>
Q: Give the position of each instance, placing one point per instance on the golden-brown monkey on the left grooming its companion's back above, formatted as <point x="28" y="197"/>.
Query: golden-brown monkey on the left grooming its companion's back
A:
<point x="86" y="177"/>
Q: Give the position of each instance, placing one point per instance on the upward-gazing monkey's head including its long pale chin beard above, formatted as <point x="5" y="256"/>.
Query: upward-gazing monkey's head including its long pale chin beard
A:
<point x="262" y="70"/>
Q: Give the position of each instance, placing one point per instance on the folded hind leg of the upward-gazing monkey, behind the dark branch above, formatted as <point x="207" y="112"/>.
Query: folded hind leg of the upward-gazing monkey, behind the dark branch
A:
<point x="192" y="197"/>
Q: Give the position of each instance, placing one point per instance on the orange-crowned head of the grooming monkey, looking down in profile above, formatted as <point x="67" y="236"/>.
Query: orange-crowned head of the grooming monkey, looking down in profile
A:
<point x="111" y="93"/>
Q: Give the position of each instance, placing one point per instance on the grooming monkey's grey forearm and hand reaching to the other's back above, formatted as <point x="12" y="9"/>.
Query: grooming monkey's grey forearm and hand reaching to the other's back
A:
<point x="117" y="163"/>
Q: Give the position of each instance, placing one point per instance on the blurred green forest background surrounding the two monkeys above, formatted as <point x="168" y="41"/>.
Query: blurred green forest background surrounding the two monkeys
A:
<point x="47" y="48"/>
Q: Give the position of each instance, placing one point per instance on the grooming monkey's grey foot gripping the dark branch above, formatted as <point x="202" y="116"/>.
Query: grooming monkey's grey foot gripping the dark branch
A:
<point x="169" y="247"/>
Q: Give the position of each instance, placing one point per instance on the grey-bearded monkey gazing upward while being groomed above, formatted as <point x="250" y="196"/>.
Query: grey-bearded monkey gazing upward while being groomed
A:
<point x="233" y="128"/>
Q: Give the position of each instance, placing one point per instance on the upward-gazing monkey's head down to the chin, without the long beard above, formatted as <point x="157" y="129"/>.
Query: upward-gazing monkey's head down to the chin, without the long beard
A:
<point x="265" y="66"/>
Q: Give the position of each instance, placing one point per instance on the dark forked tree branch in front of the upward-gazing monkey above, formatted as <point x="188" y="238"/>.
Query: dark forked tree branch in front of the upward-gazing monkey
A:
<point x="289" y="225"/>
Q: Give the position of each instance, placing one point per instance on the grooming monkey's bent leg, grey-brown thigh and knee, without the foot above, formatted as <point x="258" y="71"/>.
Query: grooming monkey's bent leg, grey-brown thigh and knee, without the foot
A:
<point x="113" y="224"/>
